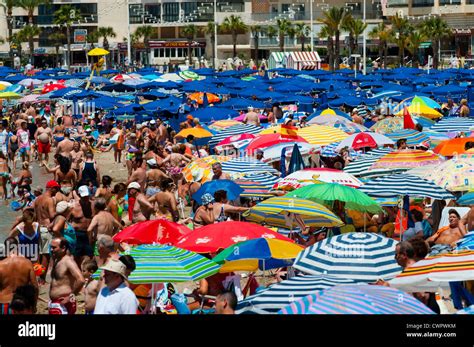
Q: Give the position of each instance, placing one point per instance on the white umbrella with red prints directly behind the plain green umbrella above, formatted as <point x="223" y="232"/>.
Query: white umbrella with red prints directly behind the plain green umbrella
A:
<point x="306" y="177"/>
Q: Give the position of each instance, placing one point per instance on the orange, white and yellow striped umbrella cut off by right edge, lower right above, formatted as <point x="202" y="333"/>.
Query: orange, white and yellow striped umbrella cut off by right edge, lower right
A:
<point x="436" y="271"/>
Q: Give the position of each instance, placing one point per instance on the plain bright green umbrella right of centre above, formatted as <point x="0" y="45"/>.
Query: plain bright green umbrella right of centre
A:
<point x="328" y="192"/>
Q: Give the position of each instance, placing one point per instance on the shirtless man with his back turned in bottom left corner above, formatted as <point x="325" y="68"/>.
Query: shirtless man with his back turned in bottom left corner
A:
<point x="15" y="271"/>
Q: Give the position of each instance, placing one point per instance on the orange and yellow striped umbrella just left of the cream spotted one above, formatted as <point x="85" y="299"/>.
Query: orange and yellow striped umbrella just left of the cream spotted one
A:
<point x="406" y="160"/>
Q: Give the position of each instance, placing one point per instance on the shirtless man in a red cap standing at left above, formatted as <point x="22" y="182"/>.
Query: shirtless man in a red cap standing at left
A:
<point x="45" y="209"/>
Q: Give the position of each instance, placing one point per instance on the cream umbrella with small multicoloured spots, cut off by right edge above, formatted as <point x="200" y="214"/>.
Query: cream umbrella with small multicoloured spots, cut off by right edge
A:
<point x="454" y="175"/>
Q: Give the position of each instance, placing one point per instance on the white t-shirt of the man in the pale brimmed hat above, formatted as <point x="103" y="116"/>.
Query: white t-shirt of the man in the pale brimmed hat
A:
<point x="119" y="301"/>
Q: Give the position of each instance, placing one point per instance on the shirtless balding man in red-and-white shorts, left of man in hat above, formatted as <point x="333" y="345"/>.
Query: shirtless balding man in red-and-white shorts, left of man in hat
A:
<point x="66" y="279"/>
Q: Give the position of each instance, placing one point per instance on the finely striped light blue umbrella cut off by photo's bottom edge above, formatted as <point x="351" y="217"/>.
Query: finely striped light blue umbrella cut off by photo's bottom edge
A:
<point x="358" y="299"/>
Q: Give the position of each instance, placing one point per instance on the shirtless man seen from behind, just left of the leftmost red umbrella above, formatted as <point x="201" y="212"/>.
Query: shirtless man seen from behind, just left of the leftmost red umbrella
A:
<point x="103" y="222"/>
